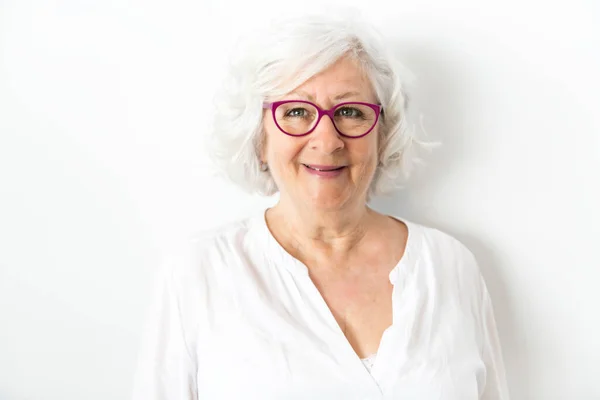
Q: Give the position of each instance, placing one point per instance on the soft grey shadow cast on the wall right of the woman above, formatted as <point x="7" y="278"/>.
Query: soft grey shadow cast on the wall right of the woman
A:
<point x="442" y="83"/>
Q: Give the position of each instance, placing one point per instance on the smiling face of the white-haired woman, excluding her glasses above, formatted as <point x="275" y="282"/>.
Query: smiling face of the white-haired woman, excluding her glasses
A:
<point x="288" y="156"/>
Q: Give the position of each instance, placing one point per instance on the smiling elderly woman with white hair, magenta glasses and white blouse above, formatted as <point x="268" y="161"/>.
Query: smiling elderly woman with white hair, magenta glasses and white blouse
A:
<point x="320" y="296"/>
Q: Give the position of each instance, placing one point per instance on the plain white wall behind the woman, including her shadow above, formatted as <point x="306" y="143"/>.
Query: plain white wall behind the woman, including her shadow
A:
<point x="103" y="105"/>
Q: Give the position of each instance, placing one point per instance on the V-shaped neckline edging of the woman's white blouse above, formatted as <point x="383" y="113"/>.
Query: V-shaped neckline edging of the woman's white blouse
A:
<point x="385" y="347"/>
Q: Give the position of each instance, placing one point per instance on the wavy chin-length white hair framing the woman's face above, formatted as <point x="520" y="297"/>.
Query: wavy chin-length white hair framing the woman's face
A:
<point x="282" y="57"/>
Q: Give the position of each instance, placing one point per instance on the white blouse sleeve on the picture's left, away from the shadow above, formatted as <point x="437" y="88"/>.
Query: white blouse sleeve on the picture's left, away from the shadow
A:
<point x="165" y="370"/>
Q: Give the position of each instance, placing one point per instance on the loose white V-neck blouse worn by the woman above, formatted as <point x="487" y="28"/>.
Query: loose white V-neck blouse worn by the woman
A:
<point x="237" y="317"/>
